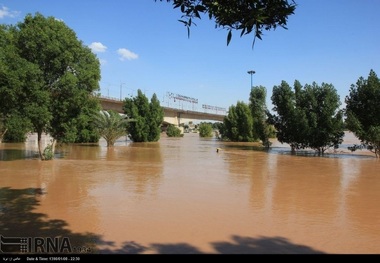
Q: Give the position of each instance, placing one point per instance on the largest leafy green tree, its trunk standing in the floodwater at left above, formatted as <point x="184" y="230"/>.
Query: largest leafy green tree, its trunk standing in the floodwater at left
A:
<point x="49" y="77"/>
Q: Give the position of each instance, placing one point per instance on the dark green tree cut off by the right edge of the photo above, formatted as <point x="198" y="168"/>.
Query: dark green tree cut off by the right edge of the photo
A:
<point x="363" y="111"/>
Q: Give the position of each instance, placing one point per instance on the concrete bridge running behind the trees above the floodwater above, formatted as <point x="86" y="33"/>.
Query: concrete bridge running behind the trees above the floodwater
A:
<point x="171" y="115"/>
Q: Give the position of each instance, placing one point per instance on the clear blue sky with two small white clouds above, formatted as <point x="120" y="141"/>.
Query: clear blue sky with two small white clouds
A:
<point x="141" y="45"/>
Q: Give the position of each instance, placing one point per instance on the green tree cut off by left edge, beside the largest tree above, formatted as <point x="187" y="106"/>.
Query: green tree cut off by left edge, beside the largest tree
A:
<point x="20" y="87"/>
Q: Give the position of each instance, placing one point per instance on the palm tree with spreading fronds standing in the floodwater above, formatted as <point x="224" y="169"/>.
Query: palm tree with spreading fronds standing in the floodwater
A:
<point x="111" y="126"/>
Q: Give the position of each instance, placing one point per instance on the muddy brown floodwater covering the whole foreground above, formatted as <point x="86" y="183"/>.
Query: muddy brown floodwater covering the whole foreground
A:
<point x="180" y="195"/>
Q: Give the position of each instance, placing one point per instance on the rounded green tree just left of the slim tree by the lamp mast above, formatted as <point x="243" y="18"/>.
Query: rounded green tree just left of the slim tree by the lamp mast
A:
<point x="238" y="124"/>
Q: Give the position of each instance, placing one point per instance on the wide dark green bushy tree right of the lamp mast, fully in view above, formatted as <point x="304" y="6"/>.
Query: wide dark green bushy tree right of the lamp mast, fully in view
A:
<point x="309" y="117"/>
